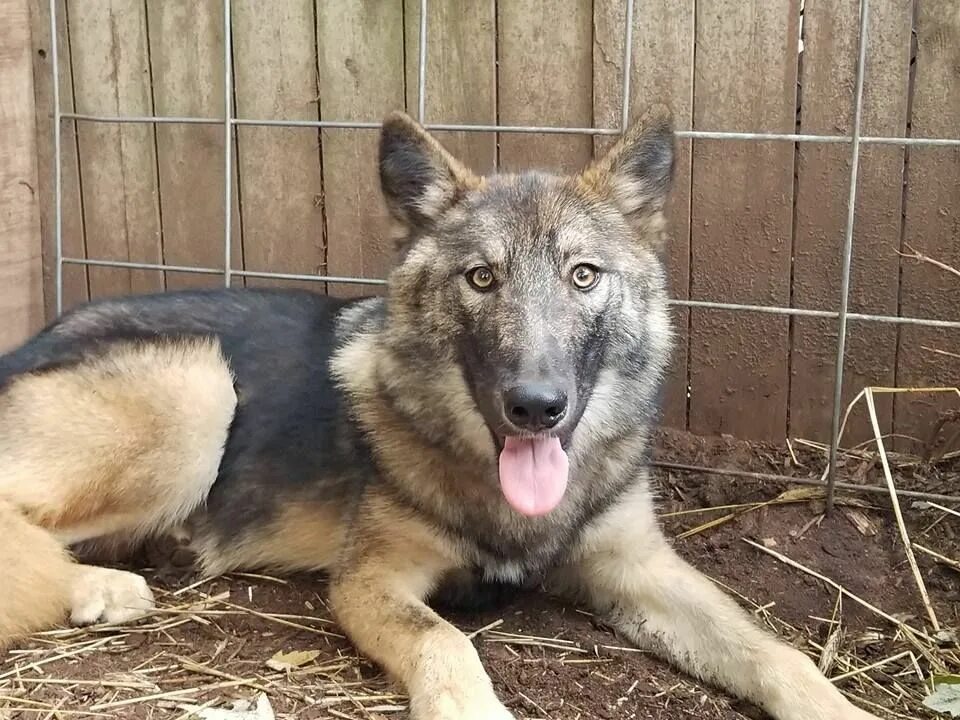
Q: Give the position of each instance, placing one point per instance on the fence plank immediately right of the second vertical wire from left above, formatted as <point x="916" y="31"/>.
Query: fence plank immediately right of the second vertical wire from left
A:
<point x="281" y="187"/>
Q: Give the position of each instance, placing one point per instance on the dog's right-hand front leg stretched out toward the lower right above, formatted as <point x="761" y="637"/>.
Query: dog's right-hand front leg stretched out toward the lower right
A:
<point x="628" y="573"/>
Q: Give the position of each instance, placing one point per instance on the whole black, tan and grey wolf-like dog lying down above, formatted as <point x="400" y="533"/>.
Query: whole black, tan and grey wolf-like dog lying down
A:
<point x="490" y="415"/>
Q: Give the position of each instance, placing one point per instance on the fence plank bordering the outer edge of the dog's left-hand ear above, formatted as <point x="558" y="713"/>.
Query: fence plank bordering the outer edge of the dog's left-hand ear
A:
<point x="361" y="79"/>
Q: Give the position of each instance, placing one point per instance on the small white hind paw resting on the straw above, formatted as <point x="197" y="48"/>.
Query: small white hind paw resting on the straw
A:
<point x="104" y="595"/>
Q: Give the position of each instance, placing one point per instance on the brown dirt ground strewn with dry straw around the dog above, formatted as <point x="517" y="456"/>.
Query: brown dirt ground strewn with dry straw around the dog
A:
<point x="211" y="641"/>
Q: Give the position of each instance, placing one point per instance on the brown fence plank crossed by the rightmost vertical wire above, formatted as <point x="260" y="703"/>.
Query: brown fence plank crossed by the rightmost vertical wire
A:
<point x="829" y="74"/>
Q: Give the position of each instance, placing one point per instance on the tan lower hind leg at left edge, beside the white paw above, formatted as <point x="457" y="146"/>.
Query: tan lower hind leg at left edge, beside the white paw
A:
<point x="35" y="577"/>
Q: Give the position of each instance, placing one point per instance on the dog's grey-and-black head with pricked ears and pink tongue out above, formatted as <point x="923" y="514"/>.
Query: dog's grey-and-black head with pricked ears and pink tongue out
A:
<point x="529" y="283"/>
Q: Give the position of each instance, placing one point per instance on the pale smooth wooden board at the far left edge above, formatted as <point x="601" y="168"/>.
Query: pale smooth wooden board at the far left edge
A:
<point x="21" y="278"/>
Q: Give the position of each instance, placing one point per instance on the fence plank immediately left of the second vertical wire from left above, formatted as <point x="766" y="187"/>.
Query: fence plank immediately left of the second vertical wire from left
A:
<point x="186" y="50"/>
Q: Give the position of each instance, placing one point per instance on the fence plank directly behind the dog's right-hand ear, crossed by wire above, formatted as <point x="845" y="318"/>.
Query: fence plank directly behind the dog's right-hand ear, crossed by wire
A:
<point x="661" y="72"/>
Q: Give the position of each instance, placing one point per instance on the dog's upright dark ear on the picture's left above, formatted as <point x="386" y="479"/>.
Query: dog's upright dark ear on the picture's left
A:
<point x="418" y="177"/>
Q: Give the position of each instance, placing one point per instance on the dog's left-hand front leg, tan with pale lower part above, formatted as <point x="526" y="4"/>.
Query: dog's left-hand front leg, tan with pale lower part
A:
<point x="377" y="596"/>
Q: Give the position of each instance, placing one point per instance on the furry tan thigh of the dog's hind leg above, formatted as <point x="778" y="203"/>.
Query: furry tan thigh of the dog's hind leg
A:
<point x="128" y="442"/>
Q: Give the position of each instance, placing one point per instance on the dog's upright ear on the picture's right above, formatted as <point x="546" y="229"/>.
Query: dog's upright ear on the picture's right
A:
<point x="636" y="173"/>
